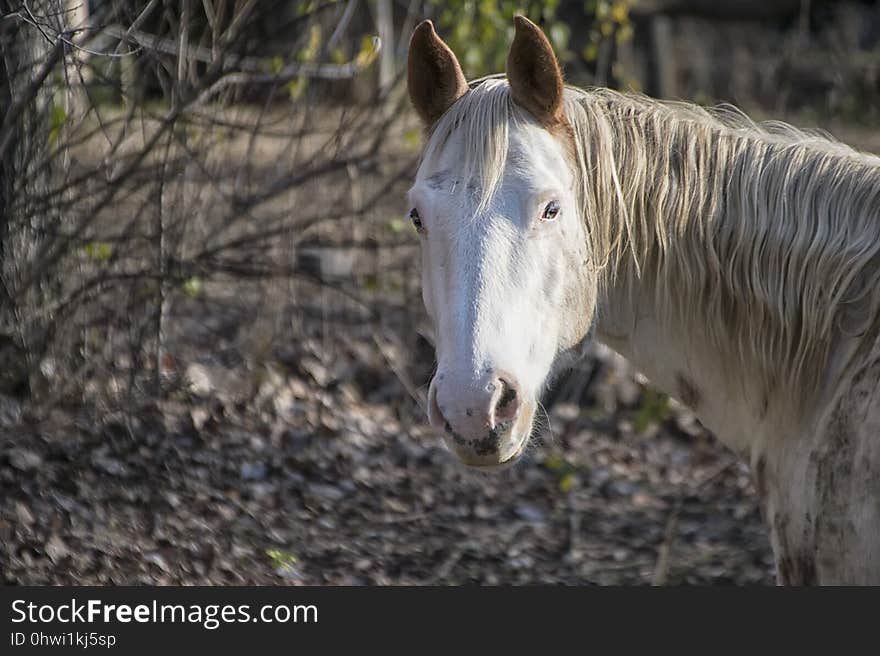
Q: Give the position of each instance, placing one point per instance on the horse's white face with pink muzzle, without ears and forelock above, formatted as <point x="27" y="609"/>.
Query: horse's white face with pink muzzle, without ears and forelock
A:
<point x="505" y="285"/>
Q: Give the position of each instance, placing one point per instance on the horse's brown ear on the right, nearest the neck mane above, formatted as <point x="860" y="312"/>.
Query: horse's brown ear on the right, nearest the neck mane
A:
<point x="534" y="74"/>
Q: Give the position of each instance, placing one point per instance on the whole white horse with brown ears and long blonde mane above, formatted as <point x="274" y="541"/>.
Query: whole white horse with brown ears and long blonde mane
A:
<point x="737" y="265"/>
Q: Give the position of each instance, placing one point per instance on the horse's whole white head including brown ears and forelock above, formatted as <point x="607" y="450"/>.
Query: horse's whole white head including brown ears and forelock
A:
<point x="506" y="273"/>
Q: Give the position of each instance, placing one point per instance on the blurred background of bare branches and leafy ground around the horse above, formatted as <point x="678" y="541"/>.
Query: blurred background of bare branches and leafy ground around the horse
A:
<point x="213" y="351"/>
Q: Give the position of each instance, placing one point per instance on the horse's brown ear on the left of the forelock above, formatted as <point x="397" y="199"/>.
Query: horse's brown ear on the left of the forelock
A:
<point x="434" y="75"/>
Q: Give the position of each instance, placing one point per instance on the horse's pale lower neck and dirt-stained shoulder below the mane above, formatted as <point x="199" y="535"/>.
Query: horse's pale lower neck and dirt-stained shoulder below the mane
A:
<point x="817" y="477"/>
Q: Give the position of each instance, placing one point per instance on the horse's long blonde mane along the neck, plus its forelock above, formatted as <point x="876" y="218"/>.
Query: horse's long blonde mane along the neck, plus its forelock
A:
<point x="769" y="234"/>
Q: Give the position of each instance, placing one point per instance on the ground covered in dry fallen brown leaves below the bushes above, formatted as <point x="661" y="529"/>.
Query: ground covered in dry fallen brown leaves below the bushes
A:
<point x="306" y="484"/>
